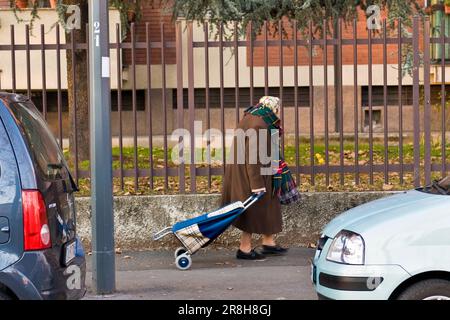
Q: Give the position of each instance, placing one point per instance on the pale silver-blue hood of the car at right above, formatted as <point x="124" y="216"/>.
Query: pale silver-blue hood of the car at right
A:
<point x="376" y="215"/>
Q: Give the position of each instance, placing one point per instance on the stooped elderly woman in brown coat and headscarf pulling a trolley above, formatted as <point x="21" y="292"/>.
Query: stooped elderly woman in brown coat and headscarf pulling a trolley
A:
<point x="241" y="179"/>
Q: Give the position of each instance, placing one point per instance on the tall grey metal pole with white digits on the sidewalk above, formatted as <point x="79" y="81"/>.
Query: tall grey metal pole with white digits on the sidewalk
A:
<point x="103" y="268"/>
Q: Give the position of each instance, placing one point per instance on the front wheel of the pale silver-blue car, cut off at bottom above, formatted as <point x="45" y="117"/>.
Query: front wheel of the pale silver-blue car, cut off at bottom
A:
<point x="432" y="289"/>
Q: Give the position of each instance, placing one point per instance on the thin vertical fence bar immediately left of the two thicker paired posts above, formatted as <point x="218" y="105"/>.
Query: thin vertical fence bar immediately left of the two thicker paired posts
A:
<point x="164" y="102"/>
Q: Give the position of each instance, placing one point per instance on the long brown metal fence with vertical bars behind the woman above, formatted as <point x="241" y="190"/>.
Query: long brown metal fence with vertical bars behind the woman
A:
<point x="185" y="177"/>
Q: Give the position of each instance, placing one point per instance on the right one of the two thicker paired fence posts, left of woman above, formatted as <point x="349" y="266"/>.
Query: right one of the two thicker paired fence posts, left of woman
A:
<point x="191" y="105"/>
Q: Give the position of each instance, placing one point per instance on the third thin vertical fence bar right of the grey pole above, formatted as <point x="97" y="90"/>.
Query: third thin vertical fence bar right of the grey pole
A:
<point x="149" y="103"/>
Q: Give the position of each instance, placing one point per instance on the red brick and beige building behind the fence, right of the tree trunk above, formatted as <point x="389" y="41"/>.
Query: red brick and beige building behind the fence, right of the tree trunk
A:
<point x="154" y="17"/>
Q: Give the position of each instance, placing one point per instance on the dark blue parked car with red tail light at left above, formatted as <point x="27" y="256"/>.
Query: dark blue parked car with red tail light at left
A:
<point x="40" y="255"/>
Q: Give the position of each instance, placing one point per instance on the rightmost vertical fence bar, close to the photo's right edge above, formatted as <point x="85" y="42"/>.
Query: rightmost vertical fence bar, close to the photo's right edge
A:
<point x="443" y="100"/>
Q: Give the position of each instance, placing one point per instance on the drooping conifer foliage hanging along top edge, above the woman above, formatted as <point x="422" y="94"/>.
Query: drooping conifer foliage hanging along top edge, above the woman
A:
<point x="219" y="12"/>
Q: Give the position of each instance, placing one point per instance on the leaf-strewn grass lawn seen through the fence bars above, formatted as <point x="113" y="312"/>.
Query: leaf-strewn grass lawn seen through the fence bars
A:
<point x="214" y="186"/>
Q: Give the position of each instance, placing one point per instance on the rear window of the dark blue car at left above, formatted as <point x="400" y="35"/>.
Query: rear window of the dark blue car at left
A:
<point x="45" y="151"/>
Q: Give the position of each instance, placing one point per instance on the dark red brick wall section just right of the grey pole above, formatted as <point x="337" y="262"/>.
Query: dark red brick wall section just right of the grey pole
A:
<point x="154" y="16"/>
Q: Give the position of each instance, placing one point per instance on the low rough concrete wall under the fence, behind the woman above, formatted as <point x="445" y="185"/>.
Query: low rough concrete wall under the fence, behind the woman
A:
<point x="137" y="218"/>
